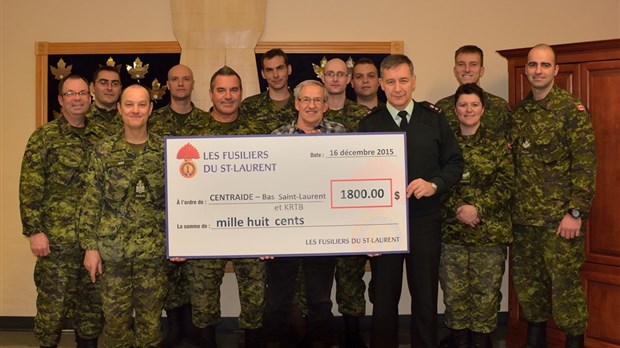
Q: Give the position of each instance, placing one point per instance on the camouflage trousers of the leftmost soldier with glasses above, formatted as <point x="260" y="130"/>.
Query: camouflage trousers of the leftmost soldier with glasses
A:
<point x="64" y="290"/>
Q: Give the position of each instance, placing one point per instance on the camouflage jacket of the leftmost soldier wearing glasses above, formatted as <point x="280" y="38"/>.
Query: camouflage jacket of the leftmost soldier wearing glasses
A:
<point x="51" y="180"/>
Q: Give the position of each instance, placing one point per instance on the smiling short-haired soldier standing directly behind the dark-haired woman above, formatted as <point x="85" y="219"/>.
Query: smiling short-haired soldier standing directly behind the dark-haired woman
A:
<point x="469" y="68"/>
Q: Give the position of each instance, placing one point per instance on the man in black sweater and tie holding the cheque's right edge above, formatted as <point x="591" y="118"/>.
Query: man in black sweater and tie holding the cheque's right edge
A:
<point x="434" y="164"/>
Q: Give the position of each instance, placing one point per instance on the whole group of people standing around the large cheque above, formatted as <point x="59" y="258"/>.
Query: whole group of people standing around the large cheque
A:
<point x="92" y="204"/>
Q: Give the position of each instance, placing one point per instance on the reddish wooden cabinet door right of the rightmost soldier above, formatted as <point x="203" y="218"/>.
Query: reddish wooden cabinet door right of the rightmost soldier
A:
<point x="601" y="273"/>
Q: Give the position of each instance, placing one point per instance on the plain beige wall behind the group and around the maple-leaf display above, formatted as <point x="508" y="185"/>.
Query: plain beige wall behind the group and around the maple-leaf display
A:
<point x="431" y="31"/>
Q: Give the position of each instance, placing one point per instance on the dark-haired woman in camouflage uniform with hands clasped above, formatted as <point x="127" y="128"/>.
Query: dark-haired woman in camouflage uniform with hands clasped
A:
<point x="477" y="228"/>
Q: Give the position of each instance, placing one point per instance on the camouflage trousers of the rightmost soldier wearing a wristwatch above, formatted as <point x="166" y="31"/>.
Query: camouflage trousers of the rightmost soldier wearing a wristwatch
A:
<point x="545" y="273"/>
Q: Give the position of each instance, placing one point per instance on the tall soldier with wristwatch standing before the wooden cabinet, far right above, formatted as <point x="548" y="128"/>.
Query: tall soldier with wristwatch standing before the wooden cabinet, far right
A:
<point x="555" y="161"/>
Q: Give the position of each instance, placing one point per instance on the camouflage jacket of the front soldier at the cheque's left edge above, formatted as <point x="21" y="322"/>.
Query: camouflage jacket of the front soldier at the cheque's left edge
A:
<point x="122" y="208"/>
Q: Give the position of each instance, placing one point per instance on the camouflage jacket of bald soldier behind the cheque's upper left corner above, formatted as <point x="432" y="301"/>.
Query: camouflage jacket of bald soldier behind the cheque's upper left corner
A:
<point x="164" y="122"/>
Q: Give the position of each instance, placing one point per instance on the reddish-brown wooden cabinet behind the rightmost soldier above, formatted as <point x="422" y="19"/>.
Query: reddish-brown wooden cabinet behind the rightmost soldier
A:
<point x="590" y="71"/>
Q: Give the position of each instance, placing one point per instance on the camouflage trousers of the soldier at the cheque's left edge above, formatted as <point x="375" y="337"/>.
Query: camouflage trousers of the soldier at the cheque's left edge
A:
<point x="130" y="285"/>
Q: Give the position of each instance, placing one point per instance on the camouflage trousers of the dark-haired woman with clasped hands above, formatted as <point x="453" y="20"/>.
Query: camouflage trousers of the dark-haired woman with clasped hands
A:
<point x="471" y="278"/>
